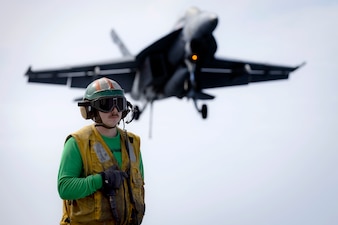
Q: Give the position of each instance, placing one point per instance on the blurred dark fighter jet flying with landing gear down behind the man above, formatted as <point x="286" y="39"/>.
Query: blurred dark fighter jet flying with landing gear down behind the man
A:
<point x="181" y="64"/>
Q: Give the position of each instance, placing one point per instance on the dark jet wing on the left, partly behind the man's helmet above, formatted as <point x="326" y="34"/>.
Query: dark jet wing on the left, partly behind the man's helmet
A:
<point x="80" y="76"/>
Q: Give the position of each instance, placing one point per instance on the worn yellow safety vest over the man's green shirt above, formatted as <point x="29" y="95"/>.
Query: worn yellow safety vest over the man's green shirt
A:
<point x="97" y="157"/>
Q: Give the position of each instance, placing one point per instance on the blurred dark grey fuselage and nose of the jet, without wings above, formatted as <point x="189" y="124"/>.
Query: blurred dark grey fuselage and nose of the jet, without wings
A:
<point x="166" y="74"/>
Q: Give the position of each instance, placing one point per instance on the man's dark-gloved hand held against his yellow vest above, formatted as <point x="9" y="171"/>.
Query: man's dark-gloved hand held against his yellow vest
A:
<point x="112" y="178"/>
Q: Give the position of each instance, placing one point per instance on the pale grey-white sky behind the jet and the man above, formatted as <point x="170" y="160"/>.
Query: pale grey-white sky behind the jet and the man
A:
<point x="266" y="155"/>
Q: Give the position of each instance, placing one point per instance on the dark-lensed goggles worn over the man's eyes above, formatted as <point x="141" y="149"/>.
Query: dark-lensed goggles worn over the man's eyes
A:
<point x="108" y="104"/>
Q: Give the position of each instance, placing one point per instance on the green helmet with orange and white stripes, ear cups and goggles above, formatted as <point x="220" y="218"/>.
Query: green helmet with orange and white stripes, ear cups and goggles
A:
<point x="103" y="95"/>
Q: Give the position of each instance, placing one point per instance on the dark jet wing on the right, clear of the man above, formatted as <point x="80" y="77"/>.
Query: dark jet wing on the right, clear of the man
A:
<point x="224" y="72"/>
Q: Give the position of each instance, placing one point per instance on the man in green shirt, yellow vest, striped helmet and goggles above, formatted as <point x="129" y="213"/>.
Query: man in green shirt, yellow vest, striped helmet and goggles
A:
<point x="101" y="178"/>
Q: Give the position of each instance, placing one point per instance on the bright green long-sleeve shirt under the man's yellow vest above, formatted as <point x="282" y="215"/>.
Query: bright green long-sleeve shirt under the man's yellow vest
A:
<point x="71" y="181"/>
